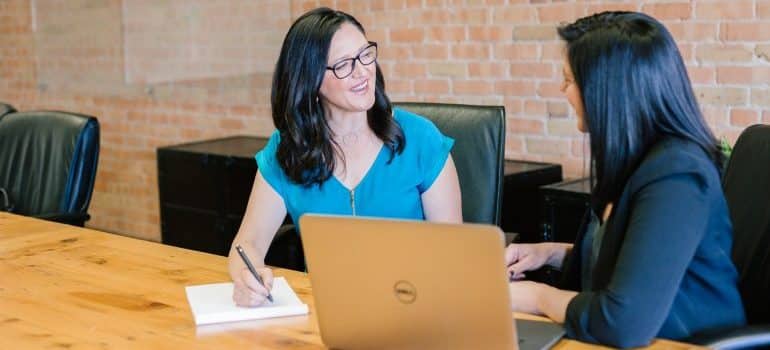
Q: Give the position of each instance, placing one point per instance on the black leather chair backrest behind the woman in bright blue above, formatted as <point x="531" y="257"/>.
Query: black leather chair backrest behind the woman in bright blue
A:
<point x="479" y="133"/>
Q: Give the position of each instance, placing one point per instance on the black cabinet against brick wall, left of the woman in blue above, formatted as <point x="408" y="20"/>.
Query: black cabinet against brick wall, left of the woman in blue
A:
<point x="204" y="188"/>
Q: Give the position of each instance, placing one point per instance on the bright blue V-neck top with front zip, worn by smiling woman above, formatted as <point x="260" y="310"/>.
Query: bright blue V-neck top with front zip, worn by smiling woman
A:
<point x="387" y="190"/>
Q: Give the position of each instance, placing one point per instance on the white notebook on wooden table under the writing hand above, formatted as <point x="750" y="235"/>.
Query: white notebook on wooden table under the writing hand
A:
<point x="213" y="303"/>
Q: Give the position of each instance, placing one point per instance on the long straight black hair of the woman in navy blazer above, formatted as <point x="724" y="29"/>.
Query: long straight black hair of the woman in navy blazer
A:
<point x="635" y="91"/>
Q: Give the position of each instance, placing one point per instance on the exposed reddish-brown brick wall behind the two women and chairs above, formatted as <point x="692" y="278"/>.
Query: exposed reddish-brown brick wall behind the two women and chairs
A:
<point x="89" y="56"/>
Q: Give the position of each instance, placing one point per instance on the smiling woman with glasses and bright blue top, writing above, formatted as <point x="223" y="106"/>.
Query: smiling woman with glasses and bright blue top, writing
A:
<point x="339" y="148"/>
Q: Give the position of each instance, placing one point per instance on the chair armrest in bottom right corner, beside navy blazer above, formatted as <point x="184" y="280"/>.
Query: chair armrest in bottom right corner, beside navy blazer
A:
<point x="739" y="338"/>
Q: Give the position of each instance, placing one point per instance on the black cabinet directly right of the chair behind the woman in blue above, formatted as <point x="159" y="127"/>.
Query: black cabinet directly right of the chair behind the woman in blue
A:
<point x="520" y="207"/>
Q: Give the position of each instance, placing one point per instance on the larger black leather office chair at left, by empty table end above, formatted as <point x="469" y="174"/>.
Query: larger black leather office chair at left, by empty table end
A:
<point x="48" y="164"/>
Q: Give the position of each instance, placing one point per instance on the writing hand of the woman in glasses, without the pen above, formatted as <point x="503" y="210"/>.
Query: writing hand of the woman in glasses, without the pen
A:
<point x="246" y="290"/>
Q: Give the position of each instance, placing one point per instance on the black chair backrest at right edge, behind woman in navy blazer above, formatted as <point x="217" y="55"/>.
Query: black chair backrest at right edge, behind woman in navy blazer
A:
<point x="747" y="190"/>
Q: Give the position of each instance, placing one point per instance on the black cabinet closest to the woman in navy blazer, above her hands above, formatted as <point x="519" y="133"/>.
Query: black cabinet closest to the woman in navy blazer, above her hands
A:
<point x="563" y="207"/>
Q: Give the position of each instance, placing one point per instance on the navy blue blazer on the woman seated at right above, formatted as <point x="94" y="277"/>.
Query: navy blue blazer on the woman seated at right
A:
<point x="664" y="268"/>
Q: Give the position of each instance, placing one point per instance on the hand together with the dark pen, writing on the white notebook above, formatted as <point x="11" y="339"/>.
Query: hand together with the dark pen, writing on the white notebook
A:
<point x="246" y="291"/>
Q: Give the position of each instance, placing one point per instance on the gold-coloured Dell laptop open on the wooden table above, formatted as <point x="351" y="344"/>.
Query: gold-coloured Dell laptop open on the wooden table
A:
<point x="397" y="284"/>
